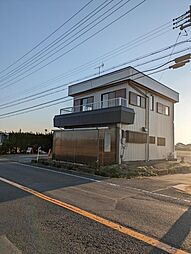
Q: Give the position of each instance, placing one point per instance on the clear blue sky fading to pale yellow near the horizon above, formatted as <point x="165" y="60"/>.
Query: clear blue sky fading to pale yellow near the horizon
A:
<point x="23" y="24"/>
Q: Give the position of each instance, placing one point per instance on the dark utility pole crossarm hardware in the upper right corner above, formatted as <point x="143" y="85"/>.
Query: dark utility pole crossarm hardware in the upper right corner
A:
<point x="183" y="21"/>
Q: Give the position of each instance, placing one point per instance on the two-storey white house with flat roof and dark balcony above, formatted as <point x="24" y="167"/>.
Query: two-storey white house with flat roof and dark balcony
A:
<point x="118" y="117"/>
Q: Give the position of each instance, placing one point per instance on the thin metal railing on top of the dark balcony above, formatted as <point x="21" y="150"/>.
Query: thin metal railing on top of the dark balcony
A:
<point x="96" y="105"/>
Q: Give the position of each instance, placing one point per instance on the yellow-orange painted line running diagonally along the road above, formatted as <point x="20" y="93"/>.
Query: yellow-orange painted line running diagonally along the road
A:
<point x="123" y="229"/>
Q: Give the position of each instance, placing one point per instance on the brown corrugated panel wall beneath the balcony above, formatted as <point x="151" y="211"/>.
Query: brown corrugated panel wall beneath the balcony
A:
<point x="84" y="146"/>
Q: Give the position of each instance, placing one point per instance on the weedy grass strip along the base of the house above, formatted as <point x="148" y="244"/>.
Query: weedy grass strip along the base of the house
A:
<point x="130" y="170"/>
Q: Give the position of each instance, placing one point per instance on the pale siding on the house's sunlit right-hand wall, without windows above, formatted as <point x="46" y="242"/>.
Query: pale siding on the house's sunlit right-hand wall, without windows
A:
<point x="159" y="126"/>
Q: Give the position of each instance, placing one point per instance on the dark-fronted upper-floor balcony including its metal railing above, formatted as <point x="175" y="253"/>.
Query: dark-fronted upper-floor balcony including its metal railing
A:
<point x="97" y="114"/>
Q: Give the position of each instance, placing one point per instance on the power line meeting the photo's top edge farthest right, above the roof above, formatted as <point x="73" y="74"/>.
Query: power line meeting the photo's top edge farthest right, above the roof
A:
<point x="74" y="47"/>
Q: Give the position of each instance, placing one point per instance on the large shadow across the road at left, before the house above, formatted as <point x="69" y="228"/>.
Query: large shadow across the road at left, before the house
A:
<point x="36" y="179"/>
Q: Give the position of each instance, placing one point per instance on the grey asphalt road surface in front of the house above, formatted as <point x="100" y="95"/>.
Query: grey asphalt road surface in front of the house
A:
<point x="157" y="207"/>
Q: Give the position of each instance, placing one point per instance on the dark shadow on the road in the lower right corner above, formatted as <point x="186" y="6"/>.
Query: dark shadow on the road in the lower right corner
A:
<point x="178" y="232"/>
